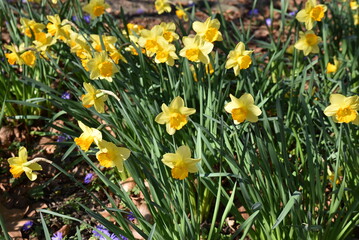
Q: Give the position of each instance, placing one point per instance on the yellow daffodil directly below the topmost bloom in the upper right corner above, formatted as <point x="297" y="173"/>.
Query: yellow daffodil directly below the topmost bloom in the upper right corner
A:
<point x="308" y="42"/>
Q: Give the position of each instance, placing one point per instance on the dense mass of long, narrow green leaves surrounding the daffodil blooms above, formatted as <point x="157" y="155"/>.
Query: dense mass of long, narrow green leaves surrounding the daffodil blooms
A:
<point x="276" y="169"/>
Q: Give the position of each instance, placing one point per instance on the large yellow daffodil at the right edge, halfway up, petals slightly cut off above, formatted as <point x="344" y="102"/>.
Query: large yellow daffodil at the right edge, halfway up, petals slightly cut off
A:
<point x="343" y="109"/>
